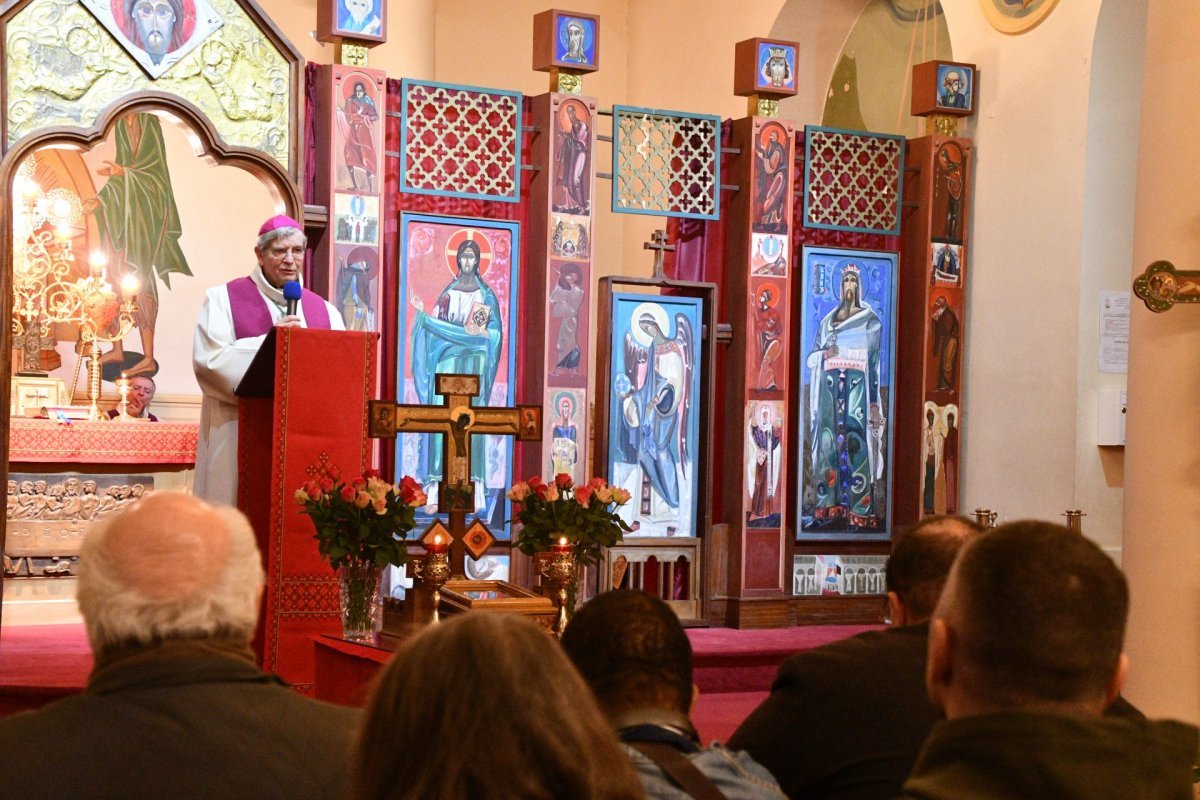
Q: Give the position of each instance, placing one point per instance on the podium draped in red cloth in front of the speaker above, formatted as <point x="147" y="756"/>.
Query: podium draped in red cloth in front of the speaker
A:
<point x="302" y="408"/>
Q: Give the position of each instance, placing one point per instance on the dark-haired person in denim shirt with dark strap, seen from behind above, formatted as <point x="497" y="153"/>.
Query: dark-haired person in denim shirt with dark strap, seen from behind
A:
<point x="635" y="657"/>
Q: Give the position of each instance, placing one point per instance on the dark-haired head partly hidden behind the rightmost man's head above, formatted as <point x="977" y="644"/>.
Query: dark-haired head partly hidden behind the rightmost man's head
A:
<point x="921" y="563"/>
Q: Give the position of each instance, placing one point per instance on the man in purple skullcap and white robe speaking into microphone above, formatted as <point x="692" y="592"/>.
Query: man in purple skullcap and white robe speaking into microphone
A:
<point x="235" y="321"/>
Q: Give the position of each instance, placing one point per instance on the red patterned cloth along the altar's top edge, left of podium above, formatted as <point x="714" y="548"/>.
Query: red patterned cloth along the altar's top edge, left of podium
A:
<point x="103" y="443"/>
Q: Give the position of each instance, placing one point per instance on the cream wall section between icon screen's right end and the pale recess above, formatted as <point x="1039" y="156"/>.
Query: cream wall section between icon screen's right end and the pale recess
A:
<point x="1021" y="393"/>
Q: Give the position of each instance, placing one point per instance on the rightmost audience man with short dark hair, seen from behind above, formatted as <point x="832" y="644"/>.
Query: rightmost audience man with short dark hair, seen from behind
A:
<point x="1025" y="653"/>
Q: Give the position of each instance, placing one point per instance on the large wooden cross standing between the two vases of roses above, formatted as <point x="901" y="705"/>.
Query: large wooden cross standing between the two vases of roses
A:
<point x="458" y="420"/>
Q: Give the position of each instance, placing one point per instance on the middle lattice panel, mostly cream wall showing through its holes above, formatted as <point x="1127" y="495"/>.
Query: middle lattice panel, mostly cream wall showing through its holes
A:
<point x="667" y="164"/>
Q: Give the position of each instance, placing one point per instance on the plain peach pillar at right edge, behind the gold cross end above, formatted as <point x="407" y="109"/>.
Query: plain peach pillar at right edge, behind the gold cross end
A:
<point x="1162" y="510"/>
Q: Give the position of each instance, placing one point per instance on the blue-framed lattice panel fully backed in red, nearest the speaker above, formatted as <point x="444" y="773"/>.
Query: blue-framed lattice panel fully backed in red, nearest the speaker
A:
<point x="461" y="142"/>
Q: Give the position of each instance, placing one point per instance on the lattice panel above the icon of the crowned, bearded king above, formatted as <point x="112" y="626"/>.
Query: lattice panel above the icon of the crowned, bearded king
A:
<point x="853" y="181"/>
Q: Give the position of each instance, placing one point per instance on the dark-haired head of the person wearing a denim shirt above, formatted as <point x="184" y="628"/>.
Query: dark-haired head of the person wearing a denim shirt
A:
<point x="632" y="652"/>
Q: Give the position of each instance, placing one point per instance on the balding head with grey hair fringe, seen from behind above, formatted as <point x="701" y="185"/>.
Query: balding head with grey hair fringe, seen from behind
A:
<point x="171" y="568"/>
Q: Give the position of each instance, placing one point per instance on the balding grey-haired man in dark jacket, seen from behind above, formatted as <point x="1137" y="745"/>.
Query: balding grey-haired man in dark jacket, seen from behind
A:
<point x="176" y="707"/>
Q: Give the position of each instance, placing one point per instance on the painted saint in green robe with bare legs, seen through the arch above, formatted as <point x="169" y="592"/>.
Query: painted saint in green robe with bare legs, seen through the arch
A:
<point x="137" y="219"/>
